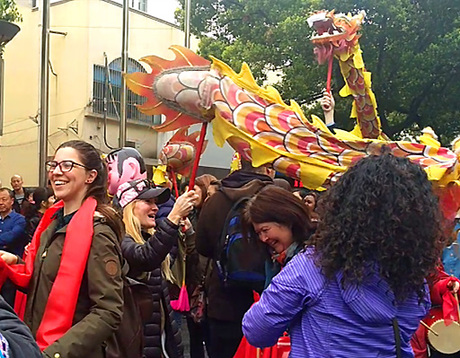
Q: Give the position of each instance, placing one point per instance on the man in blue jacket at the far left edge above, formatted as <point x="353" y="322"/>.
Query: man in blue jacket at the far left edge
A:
<point x="12" y="235"/>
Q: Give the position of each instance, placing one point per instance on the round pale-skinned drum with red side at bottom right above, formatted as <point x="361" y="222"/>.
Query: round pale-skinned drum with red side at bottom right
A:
<point x="447" y="340"/>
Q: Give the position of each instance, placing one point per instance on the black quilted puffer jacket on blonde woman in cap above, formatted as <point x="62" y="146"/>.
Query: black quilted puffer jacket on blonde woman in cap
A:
<point x="145" y="264"/>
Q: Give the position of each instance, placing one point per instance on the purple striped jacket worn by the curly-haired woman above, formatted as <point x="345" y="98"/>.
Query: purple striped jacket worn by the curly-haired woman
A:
<point x="326" y="320"/>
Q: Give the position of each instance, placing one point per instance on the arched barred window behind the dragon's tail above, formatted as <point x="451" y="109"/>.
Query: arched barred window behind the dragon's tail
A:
<point x="113" y="92"/>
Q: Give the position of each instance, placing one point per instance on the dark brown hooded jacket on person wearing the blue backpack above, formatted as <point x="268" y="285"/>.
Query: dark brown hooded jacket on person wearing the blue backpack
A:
<point x="225" y="304"/>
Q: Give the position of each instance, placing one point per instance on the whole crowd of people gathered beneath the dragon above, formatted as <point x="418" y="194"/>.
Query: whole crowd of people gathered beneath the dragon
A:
<point x="346" y="272"/>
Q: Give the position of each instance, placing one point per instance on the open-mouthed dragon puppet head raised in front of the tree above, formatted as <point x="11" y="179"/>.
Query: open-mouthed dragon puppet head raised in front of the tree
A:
<point x="334" y="33"/>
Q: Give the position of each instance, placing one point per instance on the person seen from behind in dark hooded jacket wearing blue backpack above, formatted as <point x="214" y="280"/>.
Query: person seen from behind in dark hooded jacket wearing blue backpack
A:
<point x="226" y="305"/>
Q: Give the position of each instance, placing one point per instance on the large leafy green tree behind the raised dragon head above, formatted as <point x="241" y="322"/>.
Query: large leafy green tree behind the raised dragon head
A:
<point x="410" y="46"/>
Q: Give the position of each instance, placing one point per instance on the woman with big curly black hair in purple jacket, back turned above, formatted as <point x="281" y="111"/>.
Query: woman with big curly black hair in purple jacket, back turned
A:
<point x="359" y="290"/>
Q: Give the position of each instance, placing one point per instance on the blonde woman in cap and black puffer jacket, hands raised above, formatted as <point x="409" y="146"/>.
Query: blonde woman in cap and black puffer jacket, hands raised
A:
<point x="145" y="248"/>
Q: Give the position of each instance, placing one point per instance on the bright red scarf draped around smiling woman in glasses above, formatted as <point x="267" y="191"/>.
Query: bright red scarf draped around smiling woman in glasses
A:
<point x="62" y="301"/>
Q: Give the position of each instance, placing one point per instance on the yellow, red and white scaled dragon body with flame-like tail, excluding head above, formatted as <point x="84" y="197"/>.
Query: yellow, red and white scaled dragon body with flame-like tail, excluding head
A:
<point x="258" y="124"/>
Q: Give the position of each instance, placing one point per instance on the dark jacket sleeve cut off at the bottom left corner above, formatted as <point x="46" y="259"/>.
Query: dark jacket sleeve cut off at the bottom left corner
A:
<point x="21" y="344"/>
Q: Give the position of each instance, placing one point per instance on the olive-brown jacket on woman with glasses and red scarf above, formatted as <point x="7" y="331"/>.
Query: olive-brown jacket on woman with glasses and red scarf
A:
<point x="100" y="302"/>
